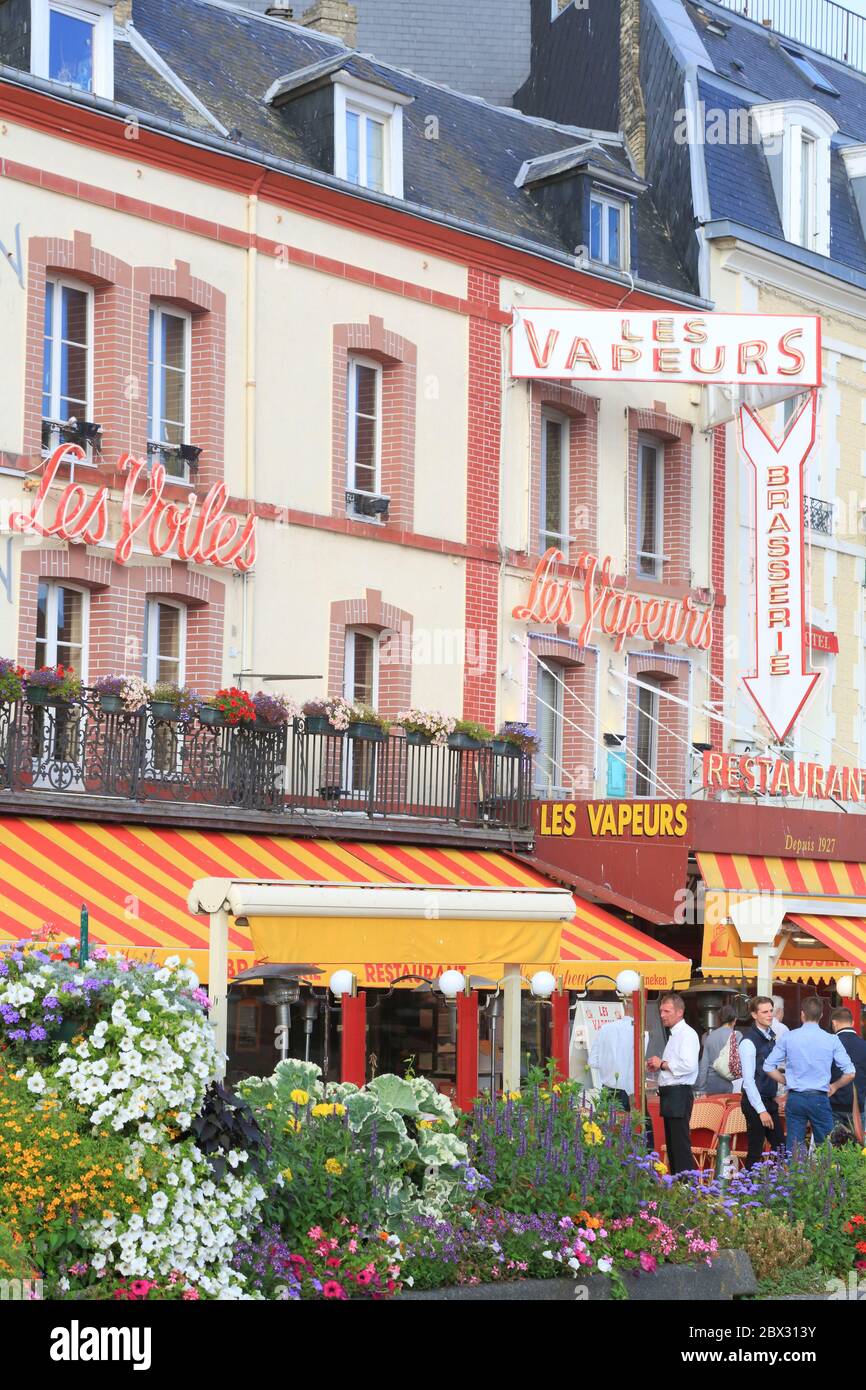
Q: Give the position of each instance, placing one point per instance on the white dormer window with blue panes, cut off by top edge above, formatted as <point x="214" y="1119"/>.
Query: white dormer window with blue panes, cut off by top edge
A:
<point x="73" y="44"/>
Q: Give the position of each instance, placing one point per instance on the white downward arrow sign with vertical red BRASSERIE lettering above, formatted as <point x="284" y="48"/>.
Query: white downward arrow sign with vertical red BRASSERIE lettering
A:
<point x="783" y="680"/>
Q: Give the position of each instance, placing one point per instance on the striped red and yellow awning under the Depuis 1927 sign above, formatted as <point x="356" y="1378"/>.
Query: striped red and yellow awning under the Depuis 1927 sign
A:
<point x="730" y="878"/>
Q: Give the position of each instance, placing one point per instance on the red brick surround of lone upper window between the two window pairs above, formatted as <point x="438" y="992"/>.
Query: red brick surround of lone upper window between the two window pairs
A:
<point x="395" y="361"/>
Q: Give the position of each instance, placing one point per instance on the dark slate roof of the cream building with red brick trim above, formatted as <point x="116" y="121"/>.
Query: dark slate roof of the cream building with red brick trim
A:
<point x="229" y="58"/>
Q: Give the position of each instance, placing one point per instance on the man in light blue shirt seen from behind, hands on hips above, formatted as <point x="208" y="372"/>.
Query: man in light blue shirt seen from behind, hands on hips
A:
<point x="808" y="1056"/>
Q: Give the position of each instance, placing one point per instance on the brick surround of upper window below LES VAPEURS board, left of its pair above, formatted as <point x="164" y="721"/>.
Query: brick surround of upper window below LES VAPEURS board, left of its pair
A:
<point x="578" y="414"/>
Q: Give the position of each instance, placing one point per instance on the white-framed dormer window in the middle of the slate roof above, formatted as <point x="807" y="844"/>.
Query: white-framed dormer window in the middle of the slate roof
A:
<point x="369" y="136"/>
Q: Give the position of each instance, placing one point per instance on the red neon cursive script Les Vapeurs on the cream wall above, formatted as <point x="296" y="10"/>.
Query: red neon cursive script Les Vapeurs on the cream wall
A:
<point x="612" y="608"/>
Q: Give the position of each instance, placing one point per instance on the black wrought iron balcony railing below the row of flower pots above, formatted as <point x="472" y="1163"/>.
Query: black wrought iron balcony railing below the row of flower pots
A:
<point x="81" y="749"/>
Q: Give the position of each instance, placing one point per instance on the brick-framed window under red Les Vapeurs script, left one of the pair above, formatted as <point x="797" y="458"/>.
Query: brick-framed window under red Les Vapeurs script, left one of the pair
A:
<point x="561" y="707"/>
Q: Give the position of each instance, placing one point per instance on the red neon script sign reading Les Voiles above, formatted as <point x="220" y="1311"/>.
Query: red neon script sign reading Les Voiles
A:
<point x="206" y="537"/>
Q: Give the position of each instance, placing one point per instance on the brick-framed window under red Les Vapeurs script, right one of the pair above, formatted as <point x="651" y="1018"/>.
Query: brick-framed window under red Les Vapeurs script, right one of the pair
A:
<point x="665" y="722"/>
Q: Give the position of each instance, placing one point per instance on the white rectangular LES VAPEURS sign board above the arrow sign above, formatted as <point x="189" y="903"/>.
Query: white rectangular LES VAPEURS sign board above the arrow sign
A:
<point x="605" y="345"/>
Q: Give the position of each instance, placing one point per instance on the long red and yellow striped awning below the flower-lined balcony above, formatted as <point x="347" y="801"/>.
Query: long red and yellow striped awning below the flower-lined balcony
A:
<point x="136" y="879"/>
